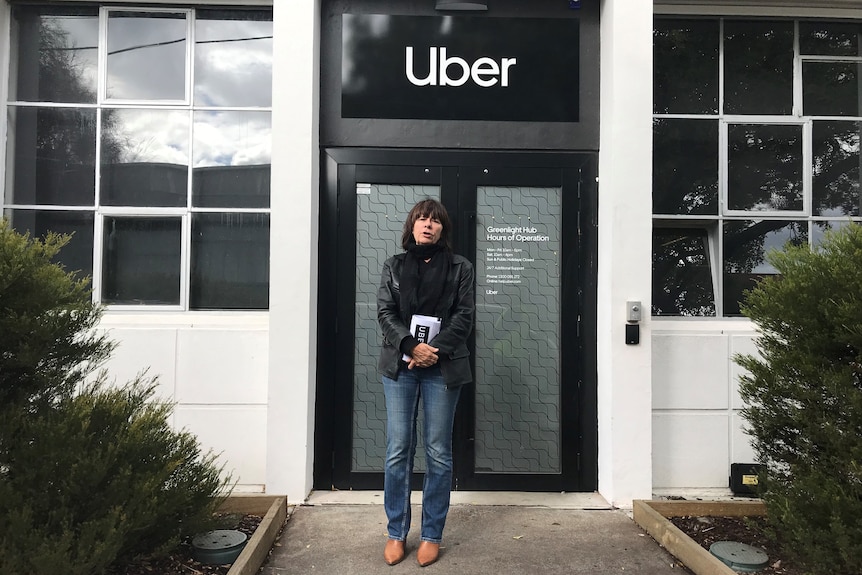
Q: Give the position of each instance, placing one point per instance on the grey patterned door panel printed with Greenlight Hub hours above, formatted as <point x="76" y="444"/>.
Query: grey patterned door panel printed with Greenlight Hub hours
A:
<point x="517" y="399"/>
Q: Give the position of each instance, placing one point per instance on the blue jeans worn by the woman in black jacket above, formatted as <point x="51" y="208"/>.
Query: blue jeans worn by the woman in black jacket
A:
<point x="402" y="407"/>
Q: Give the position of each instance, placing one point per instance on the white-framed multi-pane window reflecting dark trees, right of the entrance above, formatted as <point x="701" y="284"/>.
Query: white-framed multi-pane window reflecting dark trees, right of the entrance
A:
<point x="756" y="145"/>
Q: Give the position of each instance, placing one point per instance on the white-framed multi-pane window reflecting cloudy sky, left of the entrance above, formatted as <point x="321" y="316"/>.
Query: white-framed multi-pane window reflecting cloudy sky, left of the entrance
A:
<point x="145" y="132"/>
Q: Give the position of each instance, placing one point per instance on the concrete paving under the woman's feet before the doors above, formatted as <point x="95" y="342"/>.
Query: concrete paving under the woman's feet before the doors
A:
<point x="479" y="540"/>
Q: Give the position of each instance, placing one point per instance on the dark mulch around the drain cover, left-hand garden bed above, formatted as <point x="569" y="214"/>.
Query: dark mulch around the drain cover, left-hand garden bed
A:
<point x="182" y="562"/>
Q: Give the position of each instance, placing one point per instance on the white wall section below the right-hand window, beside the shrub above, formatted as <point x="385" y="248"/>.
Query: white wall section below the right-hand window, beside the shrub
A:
<point x="697" y="428"/>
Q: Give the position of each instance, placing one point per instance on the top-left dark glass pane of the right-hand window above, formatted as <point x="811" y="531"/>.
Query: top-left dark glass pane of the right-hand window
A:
<point x="685" y="66"/>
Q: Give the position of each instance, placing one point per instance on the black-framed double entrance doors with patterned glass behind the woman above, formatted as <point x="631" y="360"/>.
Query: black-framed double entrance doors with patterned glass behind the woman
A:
<point x="520" y="426"/>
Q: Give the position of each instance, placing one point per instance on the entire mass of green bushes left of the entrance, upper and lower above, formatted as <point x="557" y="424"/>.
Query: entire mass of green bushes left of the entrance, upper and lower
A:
<point x="91" y="474"/>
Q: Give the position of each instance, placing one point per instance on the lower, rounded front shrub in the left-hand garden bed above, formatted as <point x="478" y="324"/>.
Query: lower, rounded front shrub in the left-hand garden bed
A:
<point x="103" y="478"/>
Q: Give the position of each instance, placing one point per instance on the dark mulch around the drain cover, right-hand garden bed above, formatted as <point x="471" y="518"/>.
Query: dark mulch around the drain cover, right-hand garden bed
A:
<point x="749" y="530"/>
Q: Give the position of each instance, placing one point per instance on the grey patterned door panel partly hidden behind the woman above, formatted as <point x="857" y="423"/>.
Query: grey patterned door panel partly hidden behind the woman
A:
<point x="380" y="213"/>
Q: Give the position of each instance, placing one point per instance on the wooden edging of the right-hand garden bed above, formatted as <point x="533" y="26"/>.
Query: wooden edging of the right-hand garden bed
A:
<point x="652" y="516"/>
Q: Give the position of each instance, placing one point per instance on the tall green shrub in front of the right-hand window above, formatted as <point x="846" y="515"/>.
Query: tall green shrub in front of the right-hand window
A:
<point x="803" y="399"/>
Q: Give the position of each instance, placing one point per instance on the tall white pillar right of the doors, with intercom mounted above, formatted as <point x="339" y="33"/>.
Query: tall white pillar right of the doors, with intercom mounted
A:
<point x="625" y="240"/>
